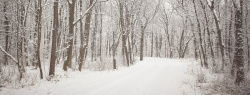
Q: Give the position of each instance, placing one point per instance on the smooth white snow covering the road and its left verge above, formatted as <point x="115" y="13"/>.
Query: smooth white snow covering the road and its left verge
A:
<point x="153" y="76"/>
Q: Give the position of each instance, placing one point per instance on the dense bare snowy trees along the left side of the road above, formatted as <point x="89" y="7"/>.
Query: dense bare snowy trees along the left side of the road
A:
<point x="35" y="33"/>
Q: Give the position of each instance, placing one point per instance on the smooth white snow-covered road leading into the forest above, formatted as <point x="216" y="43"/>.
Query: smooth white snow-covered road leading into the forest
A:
<point x="153" y="76"/>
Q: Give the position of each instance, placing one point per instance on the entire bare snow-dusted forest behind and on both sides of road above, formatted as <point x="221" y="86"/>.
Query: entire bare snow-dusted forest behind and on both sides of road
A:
<point x="108" y="34"/>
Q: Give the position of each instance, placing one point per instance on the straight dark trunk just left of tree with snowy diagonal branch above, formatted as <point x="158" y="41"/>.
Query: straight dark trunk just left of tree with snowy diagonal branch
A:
<point x="54" y="37"/>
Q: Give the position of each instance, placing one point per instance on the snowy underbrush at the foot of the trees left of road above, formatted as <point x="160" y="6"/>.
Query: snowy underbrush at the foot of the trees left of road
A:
<point x="10" y="77"/>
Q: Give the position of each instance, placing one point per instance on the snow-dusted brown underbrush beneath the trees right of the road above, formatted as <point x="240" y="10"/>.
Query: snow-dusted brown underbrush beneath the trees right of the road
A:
<point x="212" y="82"/>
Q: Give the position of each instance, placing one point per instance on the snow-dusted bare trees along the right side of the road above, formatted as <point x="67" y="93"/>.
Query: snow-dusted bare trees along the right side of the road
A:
<point x="221" y="34"/>
